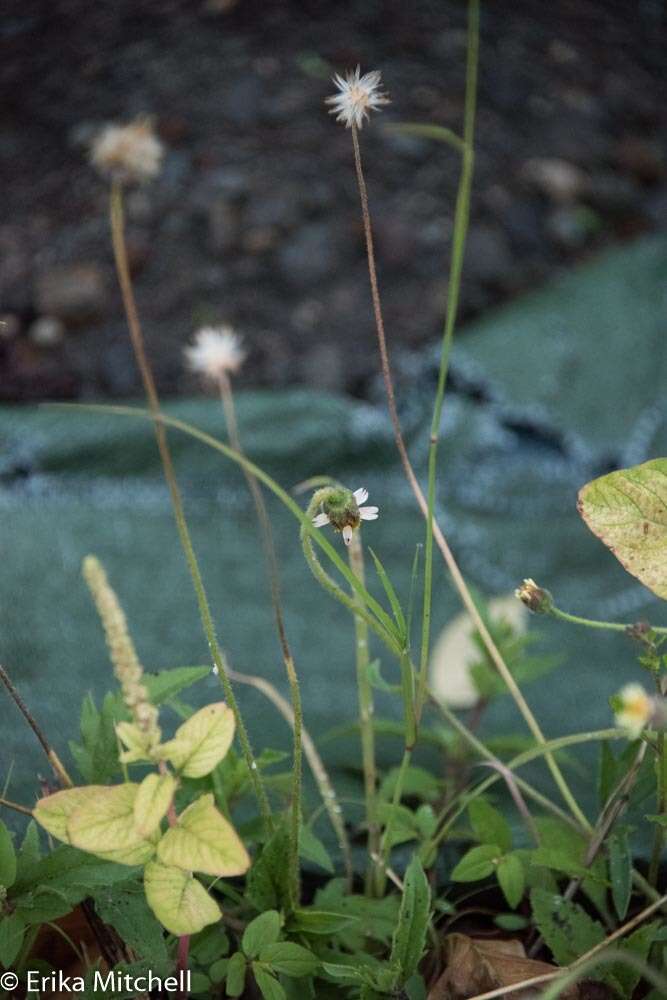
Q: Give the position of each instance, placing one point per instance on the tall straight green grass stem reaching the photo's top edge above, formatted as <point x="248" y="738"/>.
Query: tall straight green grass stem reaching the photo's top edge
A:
<point x="461" y="220"/>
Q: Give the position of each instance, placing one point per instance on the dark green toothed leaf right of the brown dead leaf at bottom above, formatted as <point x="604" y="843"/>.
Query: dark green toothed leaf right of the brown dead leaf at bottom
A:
<point x="566" y="928"/>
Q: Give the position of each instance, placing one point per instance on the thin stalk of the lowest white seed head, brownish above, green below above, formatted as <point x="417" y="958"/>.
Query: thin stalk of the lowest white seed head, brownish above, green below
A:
<point x="288" y="660"/>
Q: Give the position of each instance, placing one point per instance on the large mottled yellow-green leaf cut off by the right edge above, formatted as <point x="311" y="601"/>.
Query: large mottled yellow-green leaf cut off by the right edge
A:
<point x="627" y="510"/>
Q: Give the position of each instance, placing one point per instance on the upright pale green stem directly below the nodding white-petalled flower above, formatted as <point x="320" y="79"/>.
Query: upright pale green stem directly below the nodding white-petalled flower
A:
<point x="365" y="696"/>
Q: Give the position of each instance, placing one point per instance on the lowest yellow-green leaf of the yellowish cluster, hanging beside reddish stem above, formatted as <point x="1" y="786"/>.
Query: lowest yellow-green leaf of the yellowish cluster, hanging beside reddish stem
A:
<point x="178" y="900"/>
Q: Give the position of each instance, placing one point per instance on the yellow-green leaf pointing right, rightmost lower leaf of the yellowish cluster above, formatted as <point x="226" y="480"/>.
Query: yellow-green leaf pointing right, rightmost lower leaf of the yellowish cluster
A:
<point x="203" y="841"/>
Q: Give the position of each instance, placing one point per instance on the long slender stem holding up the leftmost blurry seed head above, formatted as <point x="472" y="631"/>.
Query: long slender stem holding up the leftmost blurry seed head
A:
<point x="123" y="270"/>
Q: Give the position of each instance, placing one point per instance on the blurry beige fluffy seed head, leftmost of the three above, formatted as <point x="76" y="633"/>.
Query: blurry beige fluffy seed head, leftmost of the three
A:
<point x="128" y="154"/>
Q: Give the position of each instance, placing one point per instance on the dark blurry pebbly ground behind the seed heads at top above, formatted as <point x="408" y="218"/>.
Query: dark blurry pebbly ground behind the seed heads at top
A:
<point x="255" y="218"/>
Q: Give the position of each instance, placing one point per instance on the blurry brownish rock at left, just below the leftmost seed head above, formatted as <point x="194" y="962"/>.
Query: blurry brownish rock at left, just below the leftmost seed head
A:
<point x="73" y="293"/>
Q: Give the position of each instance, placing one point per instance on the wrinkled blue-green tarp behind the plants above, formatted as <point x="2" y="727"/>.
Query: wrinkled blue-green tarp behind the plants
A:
<point x="546" y="394"/>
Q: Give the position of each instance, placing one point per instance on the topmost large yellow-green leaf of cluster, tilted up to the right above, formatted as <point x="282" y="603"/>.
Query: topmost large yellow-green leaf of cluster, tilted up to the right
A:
<point x="202" y="741"/>
